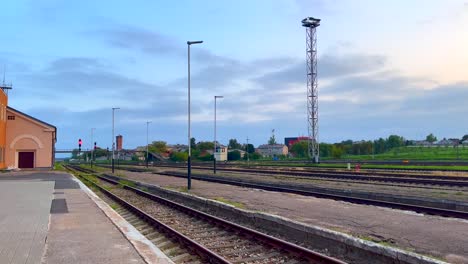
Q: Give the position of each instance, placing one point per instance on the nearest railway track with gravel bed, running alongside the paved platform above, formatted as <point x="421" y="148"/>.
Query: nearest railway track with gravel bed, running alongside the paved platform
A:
<point x="212" y="239"/>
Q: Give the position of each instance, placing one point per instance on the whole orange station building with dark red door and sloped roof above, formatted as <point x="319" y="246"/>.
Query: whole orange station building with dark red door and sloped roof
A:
<point x="25" y="142"/>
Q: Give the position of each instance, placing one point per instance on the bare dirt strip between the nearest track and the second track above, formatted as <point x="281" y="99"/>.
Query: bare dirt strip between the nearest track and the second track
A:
<point x="444" y="238"/>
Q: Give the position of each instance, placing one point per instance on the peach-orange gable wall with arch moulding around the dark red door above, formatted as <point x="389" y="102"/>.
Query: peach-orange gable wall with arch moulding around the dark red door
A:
<point x="25" y="134"/>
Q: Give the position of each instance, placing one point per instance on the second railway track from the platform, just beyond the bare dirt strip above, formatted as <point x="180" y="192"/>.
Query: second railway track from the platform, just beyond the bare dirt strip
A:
<point x="322" y="194"/>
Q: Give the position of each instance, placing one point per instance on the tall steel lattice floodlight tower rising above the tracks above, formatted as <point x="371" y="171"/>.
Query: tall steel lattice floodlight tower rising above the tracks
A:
<point x="311" y="25"/>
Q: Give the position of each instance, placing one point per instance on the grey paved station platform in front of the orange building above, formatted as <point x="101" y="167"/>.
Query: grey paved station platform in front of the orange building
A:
<point x="46" y="217"/>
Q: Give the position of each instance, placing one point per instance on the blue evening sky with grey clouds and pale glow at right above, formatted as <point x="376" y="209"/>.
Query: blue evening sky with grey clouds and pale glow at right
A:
<point x="384" y="67"/>
